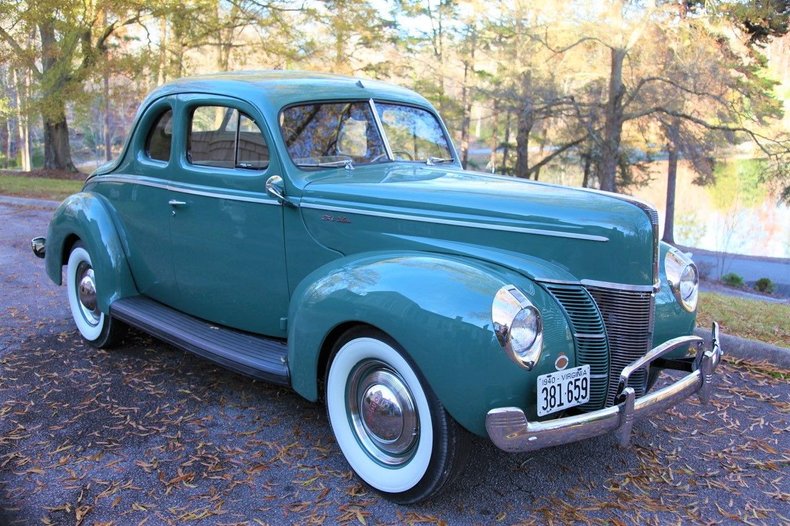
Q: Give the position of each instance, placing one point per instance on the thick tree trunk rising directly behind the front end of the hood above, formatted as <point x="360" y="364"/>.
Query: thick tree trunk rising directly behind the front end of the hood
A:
<point x="613" y="127"/>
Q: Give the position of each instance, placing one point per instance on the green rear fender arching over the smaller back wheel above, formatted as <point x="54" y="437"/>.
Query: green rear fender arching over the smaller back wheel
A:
<point x="87" y="216"/>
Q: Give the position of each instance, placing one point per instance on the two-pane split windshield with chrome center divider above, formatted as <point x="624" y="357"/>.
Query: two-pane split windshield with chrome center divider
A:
<point x="347" y="133"/>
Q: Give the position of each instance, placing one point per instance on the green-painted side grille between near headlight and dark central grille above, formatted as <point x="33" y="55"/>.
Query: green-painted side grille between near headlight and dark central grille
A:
<point x="589" y="336"/>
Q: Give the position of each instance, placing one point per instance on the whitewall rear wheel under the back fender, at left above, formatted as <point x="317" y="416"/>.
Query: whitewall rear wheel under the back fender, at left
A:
<point x="97" y="328"/>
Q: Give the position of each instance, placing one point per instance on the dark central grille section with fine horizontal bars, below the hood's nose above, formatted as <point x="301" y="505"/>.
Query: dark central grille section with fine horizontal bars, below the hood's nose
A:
<point x="628" y="317"/>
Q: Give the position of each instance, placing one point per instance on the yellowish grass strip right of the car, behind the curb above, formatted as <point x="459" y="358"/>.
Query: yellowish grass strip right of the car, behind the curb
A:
<point x="755" y="320"/>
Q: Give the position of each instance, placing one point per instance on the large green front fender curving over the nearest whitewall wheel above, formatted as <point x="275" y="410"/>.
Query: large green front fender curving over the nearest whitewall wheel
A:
<point x="438" y="308"/>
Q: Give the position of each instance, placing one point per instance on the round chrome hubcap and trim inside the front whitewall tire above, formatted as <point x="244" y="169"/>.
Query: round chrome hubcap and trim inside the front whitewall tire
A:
<point x="382" y="412"/>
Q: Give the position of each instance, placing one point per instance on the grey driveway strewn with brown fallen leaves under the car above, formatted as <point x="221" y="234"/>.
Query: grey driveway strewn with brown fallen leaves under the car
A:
<point x="146" y="434"/>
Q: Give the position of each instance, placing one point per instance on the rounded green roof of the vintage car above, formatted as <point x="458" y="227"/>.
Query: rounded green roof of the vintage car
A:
<point x="278" y="88"/>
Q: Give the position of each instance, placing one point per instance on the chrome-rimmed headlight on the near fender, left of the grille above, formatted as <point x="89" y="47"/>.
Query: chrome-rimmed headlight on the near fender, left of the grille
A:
<point x="509" y="303"/>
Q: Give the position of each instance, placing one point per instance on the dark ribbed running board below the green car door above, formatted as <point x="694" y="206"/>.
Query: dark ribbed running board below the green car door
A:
<point x="254" y="356"/>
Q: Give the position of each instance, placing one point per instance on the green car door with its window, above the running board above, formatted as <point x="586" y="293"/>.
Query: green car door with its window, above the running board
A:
<point x="226" y="232"/>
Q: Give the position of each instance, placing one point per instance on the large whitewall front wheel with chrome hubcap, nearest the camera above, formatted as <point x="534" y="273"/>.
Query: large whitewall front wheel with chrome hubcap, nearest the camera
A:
<point x="389" y="424"/>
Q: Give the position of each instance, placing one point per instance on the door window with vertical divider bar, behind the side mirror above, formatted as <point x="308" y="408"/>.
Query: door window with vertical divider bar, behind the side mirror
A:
<point x="223" y="137"/>
